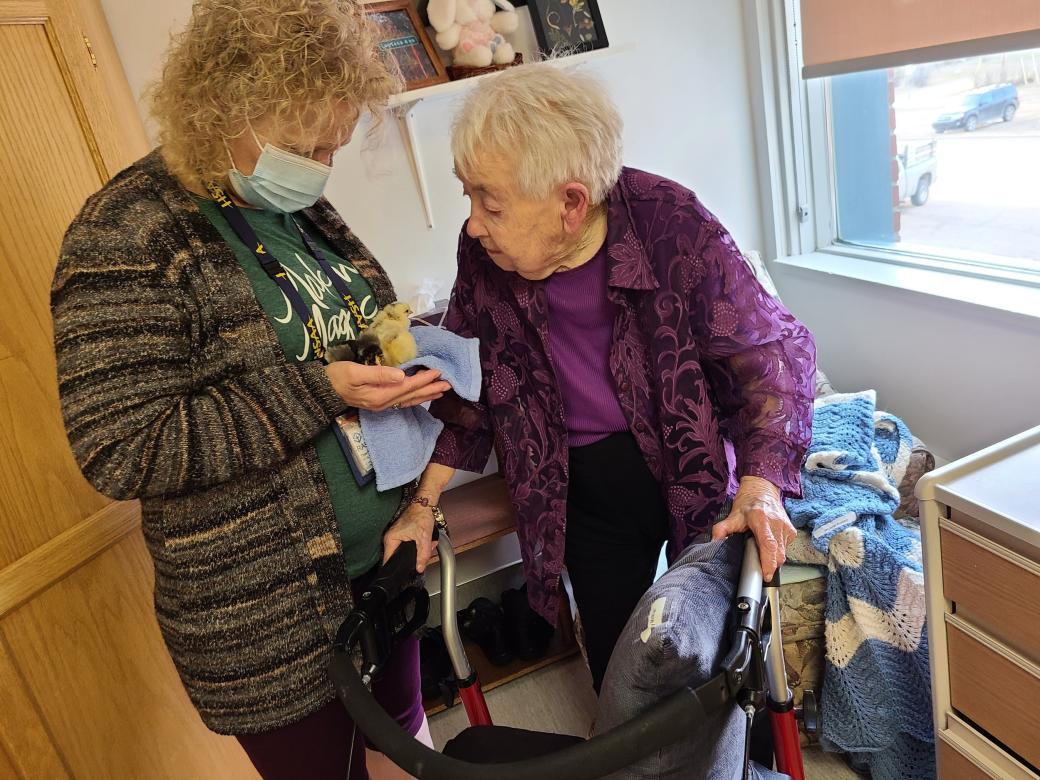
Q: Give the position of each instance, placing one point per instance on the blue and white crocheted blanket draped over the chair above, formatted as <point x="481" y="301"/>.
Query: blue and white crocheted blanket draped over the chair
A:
<point x="876" y="701"/>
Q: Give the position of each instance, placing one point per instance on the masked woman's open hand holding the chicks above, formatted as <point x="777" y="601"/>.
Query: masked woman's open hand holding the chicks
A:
<point x="378" y="388"/>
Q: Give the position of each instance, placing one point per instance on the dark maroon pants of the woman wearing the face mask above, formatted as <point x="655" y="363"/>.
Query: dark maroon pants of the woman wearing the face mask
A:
<point x="319" y="747"/>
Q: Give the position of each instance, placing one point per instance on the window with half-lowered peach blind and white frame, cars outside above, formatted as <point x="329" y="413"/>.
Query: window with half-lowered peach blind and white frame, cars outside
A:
<point x="883" y="139"/>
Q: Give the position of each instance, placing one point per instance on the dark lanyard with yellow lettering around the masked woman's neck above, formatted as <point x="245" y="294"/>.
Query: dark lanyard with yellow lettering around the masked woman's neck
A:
<point x="276" y="271"/>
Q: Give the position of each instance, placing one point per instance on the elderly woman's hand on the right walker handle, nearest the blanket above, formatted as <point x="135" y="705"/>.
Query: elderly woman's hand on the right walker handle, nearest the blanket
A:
<point x="759" y="508"/>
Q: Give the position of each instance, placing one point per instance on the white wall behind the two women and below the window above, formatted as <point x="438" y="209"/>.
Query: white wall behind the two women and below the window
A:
<point x="961" y="376"/>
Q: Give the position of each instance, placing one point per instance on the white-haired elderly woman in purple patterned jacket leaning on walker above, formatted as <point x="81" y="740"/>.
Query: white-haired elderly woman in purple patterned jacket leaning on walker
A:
<point x="640" y="385"/>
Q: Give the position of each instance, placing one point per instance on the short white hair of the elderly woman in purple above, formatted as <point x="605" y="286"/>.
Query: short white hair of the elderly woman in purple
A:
<point x="555" y="126"/>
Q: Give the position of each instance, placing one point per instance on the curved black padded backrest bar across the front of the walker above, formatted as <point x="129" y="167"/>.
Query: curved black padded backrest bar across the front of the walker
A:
<point x="667" y="722"/>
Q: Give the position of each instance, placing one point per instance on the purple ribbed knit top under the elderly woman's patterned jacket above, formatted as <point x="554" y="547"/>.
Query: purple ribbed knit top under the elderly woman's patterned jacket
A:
<point x="581" y="323"/>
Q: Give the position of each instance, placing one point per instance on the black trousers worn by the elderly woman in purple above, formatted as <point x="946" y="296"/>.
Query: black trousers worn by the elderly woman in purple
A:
<point x="617" y="523"/>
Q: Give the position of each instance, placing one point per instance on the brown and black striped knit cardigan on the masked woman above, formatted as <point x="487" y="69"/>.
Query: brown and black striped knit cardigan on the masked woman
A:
<point x="175" y="391"/>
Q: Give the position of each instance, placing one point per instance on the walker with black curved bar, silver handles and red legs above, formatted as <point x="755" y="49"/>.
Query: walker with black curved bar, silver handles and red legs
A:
<point x="752" y="675"/>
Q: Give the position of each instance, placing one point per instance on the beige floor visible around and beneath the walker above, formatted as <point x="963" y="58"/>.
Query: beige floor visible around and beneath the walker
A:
<point x="560" y="698"/>
